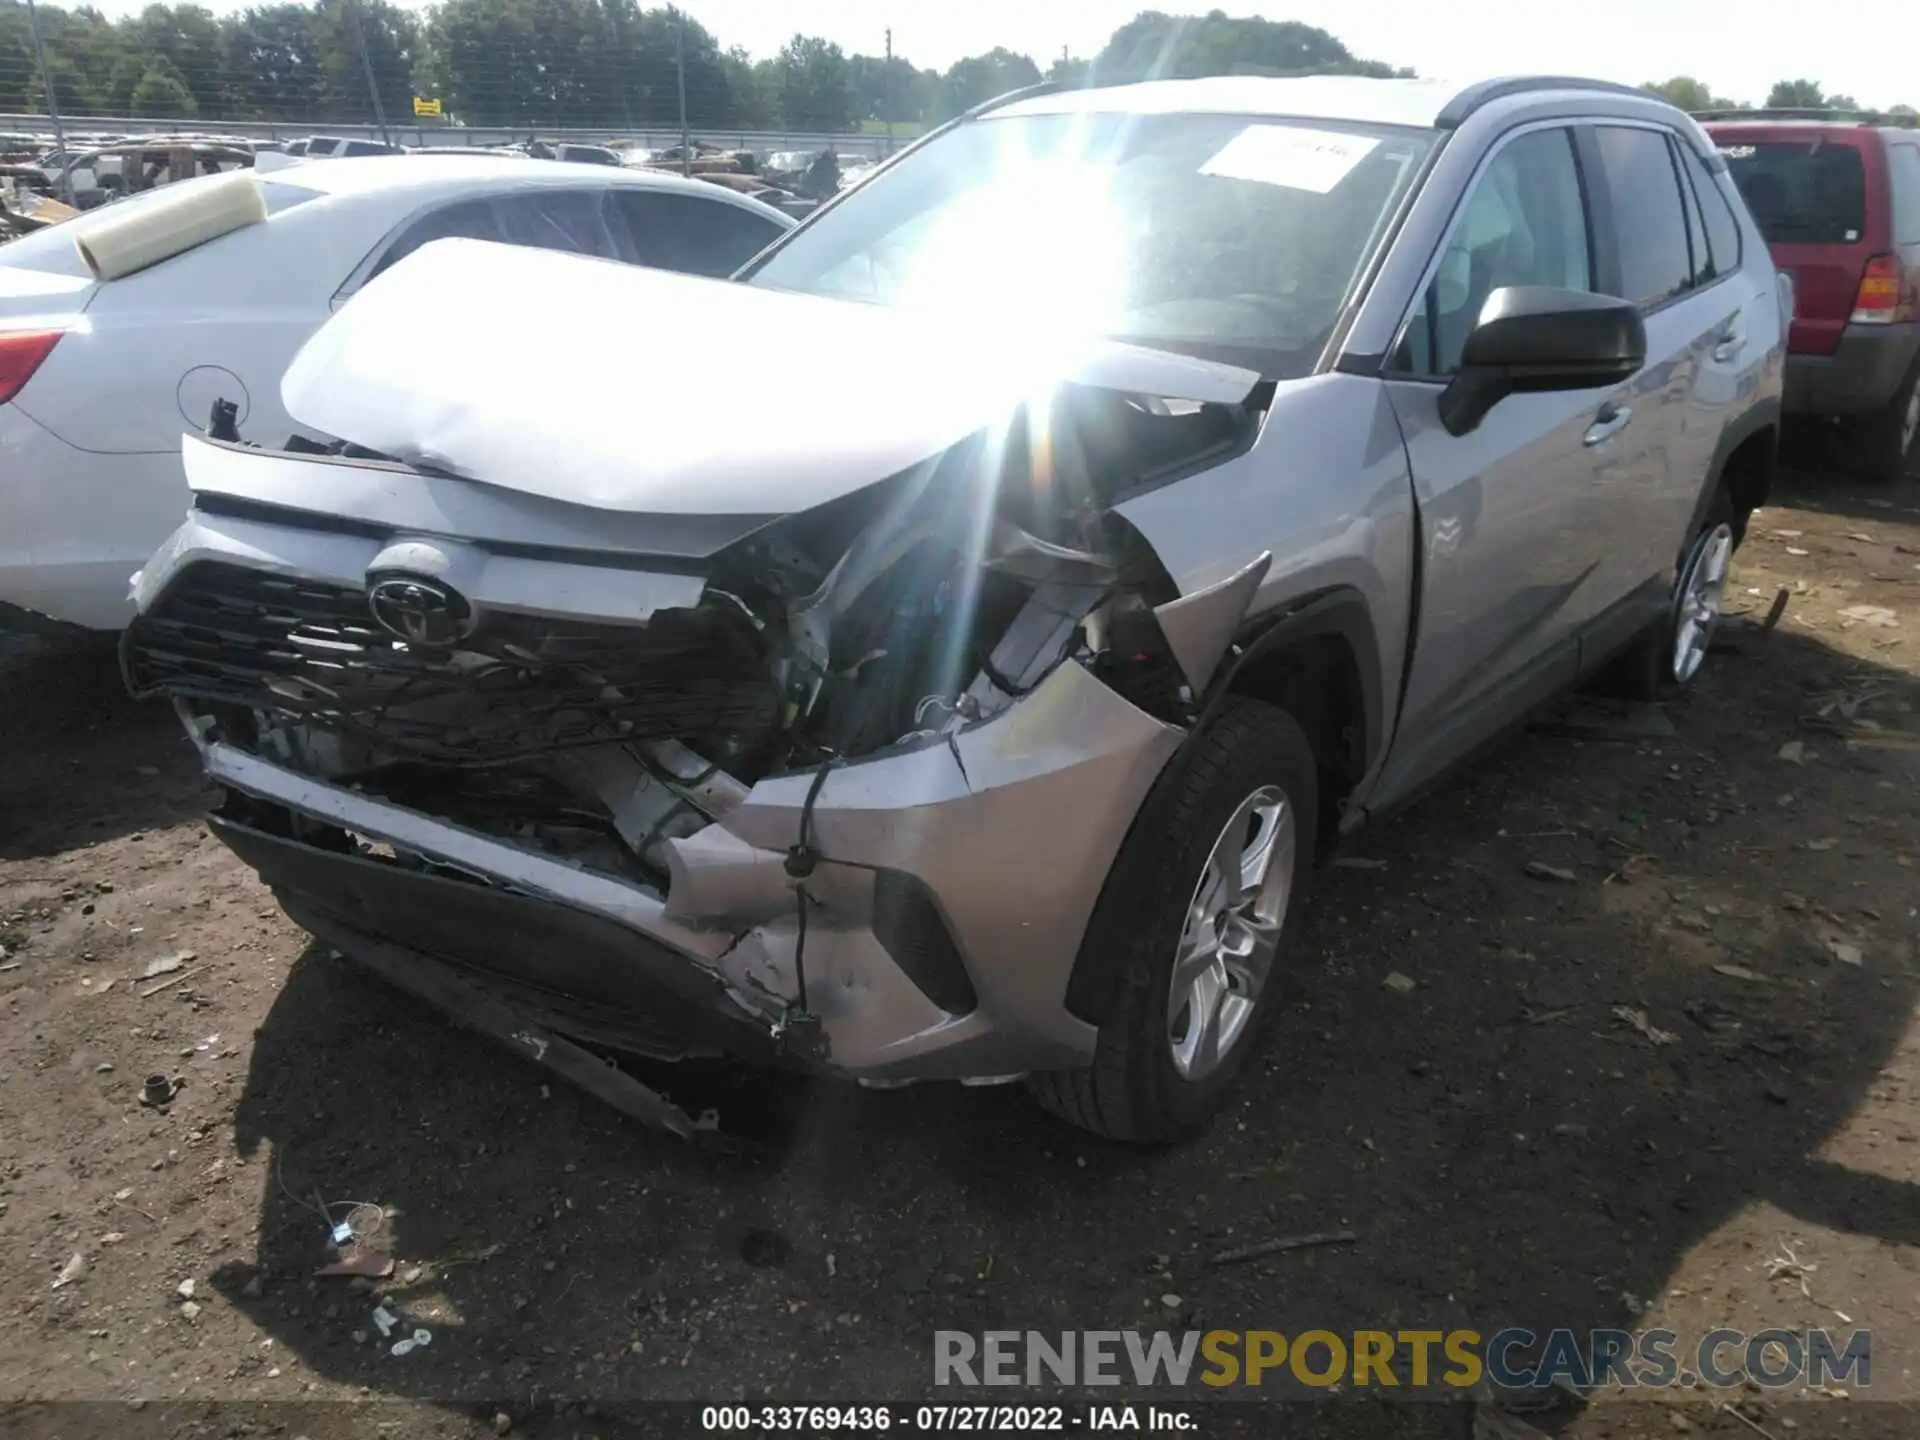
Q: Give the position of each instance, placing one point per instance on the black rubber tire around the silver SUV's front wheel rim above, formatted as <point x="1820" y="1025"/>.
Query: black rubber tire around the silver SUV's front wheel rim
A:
<point x="1134" y="1092"/>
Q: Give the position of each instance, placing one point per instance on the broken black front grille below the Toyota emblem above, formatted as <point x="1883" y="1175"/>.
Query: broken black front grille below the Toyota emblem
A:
<point x="519" y="686"/>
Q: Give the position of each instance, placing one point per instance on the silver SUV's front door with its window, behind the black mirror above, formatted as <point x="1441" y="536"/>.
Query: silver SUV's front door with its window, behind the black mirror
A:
<point x="1510" y="554"/>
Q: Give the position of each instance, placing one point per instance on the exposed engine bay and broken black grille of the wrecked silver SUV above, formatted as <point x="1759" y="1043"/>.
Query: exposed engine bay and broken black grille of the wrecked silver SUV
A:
<point x="892" y="617"/>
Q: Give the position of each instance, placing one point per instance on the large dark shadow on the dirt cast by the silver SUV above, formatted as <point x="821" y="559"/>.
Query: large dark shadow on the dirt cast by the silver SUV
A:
<point x="1591" y="1074"/>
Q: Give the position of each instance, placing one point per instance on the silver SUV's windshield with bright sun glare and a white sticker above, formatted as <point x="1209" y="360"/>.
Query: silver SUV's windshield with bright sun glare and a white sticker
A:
<point x="1212" y="235"/>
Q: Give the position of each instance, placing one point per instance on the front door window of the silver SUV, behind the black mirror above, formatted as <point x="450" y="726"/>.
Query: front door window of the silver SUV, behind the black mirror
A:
<point x="1524" y="224"/>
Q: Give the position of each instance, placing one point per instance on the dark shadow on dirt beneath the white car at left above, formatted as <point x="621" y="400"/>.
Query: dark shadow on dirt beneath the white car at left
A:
<point x="80" y="761"/>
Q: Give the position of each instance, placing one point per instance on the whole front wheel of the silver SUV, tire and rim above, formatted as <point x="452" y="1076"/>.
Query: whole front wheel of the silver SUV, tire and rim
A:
<point x="1199" y="911"/>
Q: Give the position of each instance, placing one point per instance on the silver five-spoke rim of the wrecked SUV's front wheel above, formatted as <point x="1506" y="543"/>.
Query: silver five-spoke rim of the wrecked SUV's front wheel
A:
<point x="1234" y="926"/>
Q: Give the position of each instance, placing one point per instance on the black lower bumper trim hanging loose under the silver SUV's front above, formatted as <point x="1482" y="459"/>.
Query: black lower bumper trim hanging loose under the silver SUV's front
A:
<point x="577" y="972"/>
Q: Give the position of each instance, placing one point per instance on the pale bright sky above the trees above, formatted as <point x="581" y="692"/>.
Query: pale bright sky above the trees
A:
<point x="1850" y="47"/>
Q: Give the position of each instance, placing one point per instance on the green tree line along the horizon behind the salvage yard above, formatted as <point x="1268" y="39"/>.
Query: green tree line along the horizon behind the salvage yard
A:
<point x="602" y="64"/>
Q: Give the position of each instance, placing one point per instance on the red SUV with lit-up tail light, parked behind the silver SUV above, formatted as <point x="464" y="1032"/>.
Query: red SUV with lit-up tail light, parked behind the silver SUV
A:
<point x="1838" y="201"/>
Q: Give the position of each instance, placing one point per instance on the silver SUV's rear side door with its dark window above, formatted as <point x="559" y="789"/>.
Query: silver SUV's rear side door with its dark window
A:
<point x="1662" y="258"/>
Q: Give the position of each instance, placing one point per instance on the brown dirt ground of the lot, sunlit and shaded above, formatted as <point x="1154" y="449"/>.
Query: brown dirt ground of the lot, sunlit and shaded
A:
<point x="1673" y="1088"/>
